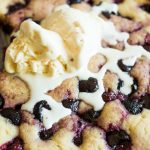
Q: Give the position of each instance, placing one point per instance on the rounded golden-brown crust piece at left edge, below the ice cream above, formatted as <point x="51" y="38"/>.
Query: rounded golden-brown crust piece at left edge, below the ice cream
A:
<point x="14" y="90"/>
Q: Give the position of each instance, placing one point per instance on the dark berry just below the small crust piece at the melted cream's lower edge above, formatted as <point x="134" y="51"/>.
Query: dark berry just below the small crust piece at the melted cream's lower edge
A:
<point x="90" y="115"/>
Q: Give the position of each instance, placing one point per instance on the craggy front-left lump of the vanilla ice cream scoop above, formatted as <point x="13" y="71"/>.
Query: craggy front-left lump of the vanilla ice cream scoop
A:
<point x="36" y="50"/>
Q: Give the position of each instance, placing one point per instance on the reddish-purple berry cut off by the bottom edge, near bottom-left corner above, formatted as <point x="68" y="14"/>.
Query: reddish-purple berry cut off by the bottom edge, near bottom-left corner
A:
<point x="16" y="145"/>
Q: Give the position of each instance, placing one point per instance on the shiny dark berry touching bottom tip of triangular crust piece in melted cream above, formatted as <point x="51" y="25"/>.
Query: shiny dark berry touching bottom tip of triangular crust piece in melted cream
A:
<point x="72" y="104"/>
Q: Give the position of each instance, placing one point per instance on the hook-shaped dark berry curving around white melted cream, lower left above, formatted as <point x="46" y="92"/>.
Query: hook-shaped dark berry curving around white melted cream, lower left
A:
<point x="38" y="109"/>
